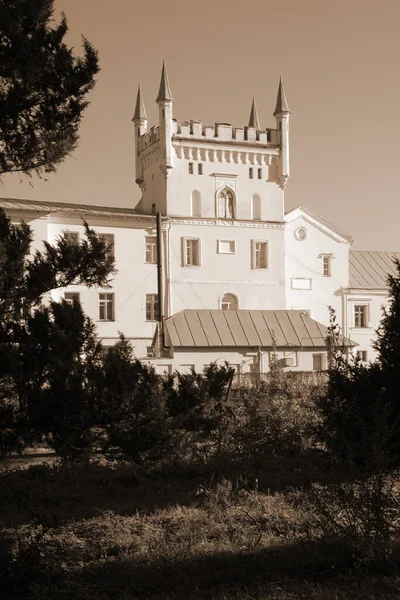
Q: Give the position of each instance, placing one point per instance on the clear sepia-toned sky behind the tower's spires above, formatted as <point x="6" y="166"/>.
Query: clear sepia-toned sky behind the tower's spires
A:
<point x="340" y="64"/>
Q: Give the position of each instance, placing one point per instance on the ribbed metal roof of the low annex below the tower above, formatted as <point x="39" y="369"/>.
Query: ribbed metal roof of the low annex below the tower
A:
<point x="245" y="328"/>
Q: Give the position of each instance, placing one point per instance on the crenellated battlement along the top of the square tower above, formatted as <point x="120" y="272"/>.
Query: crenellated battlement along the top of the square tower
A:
<point x="224" y="132"/>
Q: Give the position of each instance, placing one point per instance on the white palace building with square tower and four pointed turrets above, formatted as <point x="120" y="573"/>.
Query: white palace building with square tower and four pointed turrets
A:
<point x="238" y="276"/>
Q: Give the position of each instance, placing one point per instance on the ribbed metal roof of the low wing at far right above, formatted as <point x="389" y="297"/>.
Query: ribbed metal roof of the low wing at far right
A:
<point x="369" y="269"/>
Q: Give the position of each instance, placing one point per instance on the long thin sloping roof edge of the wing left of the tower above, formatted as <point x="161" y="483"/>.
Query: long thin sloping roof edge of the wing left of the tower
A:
<point x="56" y="207"/>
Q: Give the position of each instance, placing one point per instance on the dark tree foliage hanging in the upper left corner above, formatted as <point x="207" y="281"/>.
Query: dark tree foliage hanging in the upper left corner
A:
<point x="43" y="88"/>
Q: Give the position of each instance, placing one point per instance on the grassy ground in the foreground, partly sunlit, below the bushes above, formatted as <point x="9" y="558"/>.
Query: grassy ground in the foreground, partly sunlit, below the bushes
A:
<point x="109" y="531"/>
